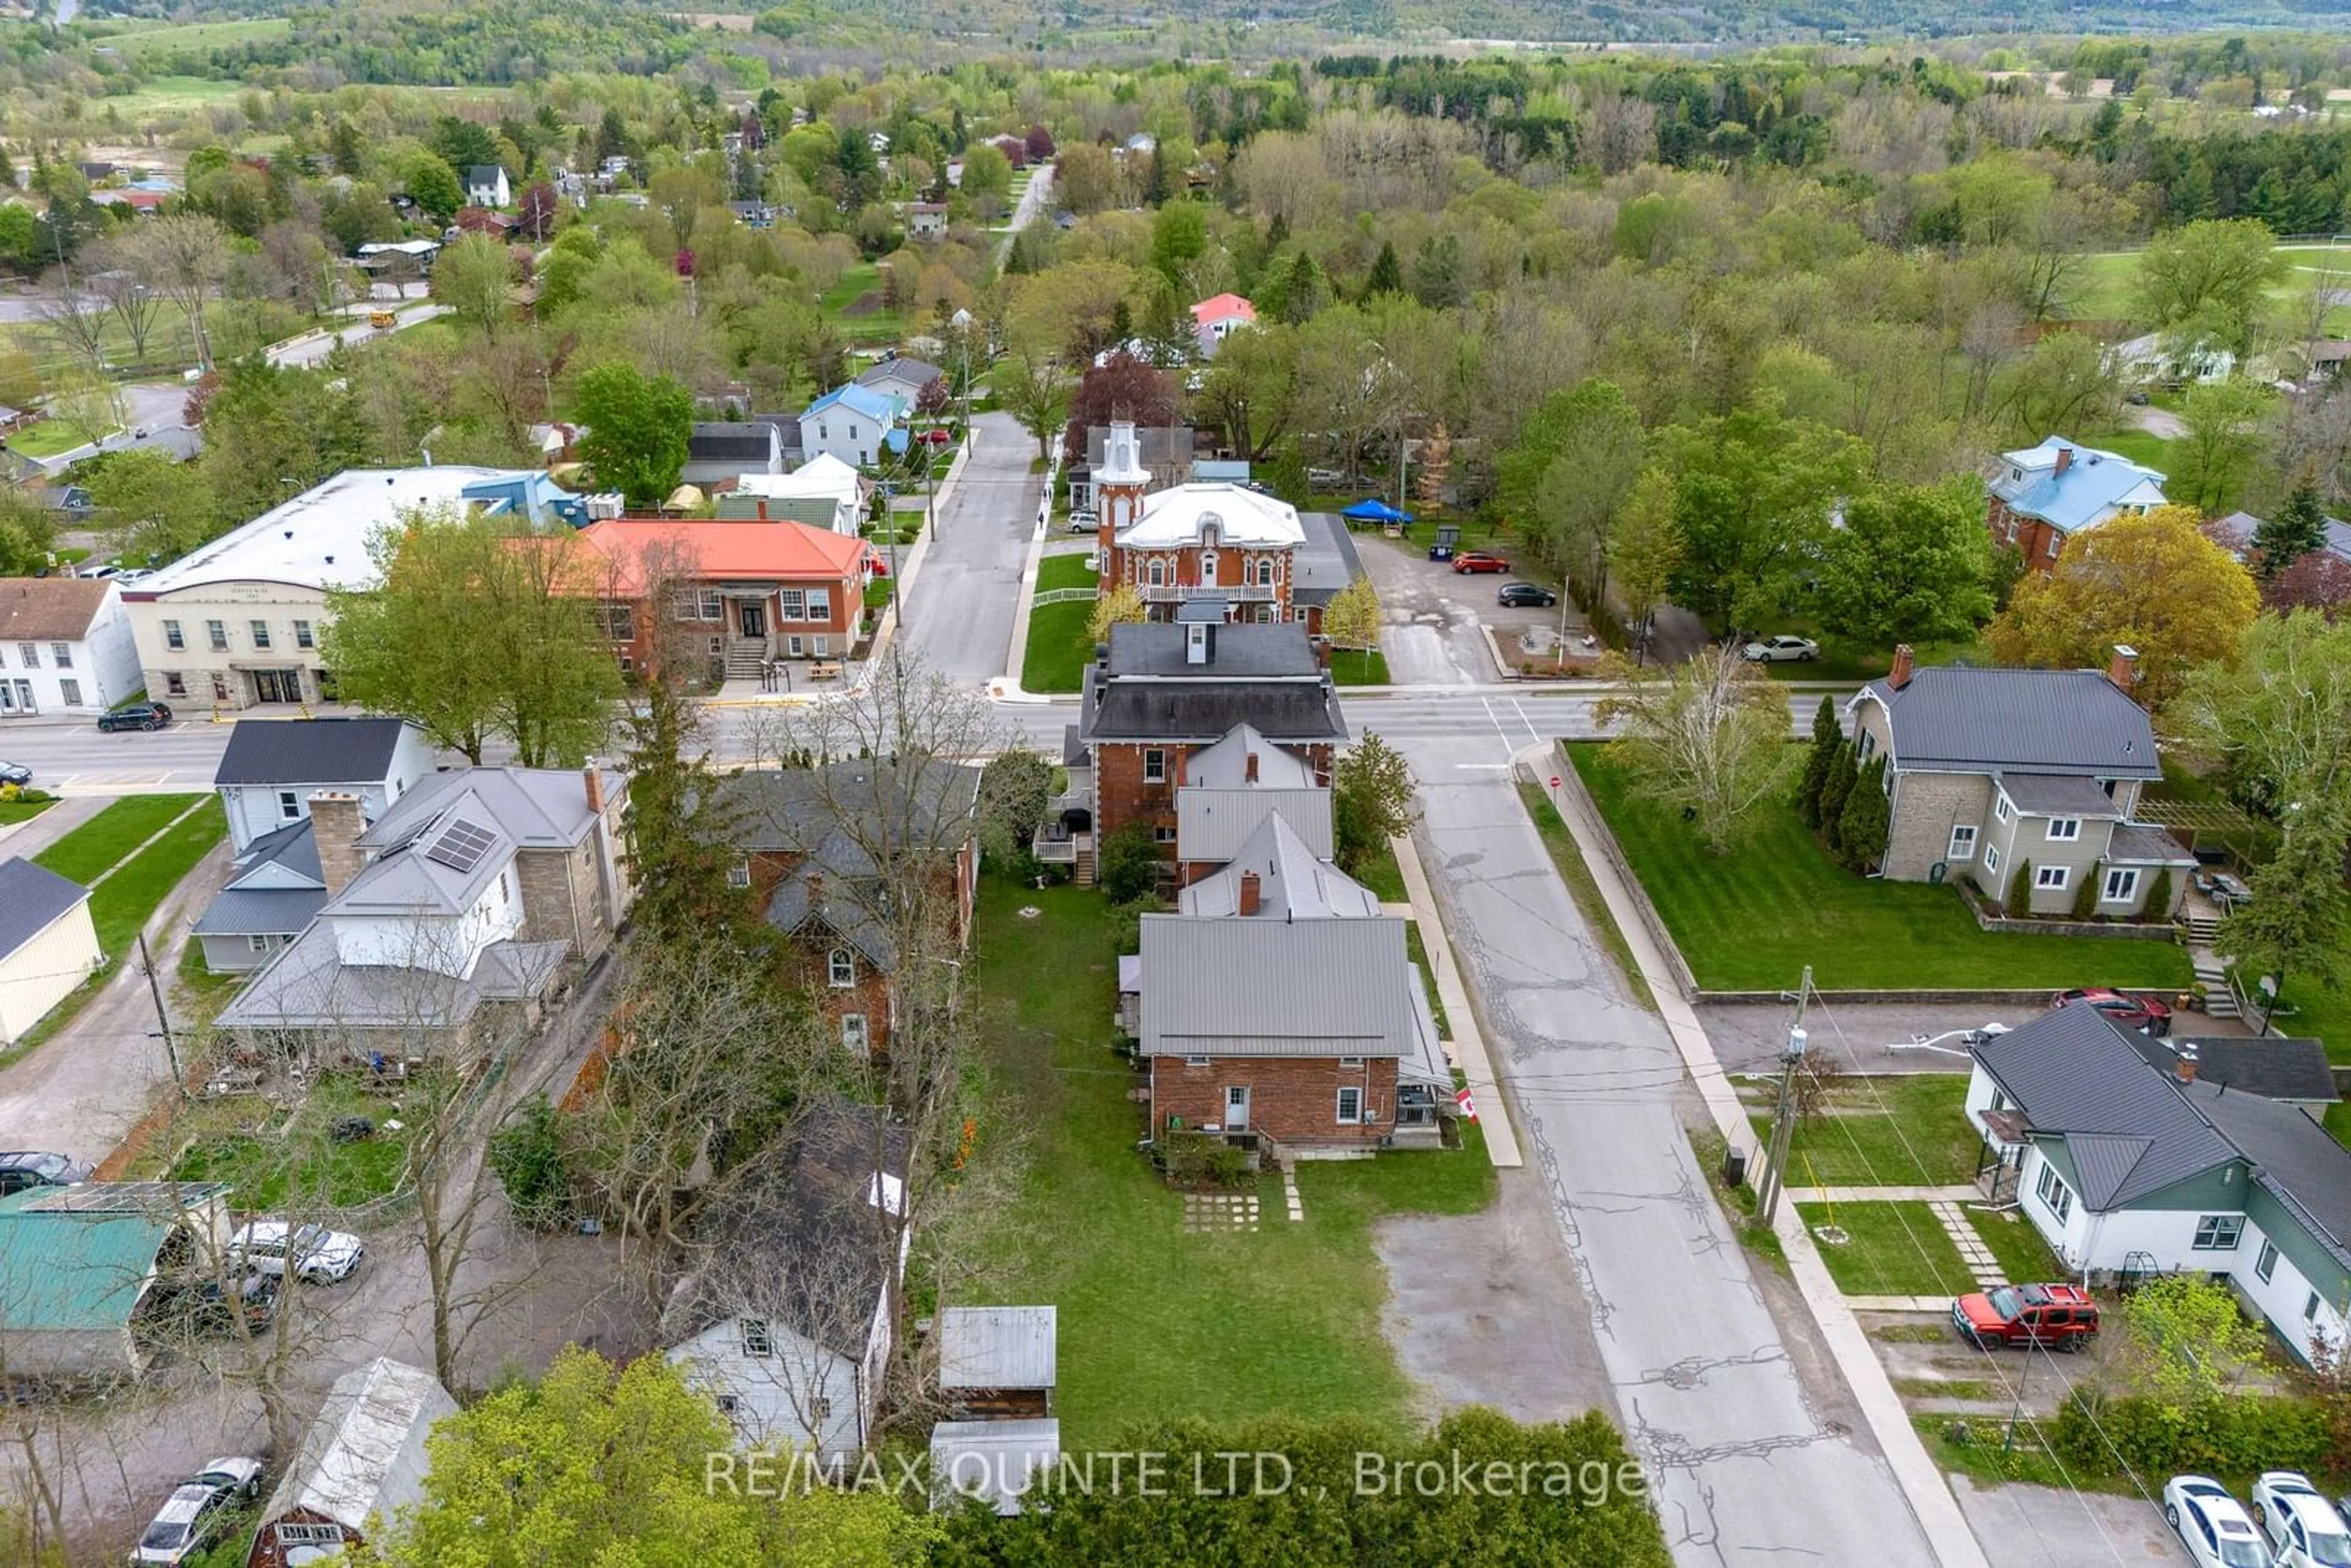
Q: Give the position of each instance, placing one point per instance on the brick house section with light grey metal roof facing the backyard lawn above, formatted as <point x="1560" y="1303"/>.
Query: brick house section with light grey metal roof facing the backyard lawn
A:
<point x="1282" y="1003"/>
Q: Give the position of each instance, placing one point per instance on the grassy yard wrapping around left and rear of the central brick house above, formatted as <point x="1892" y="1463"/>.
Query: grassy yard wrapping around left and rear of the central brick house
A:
<point x="1156" y="1322"/>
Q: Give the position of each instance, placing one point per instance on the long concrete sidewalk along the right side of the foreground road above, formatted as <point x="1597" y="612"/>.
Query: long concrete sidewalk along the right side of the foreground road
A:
<point x="1889" y="1421"/>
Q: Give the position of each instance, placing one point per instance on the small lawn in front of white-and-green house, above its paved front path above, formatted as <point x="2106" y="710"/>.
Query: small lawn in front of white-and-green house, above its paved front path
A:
<point x="1887" y="1132"/>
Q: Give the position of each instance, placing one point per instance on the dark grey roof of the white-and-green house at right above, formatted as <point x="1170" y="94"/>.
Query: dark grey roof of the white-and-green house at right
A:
<point x="2131" y="1132"/>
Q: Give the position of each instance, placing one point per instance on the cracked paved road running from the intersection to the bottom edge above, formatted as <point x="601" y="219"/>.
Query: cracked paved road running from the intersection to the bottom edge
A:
<point x="1739" y="1461"/>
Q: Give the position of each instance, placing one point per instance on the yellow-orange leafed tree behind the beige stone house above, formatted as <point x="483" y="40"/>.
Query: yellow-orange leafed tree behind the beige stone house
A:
<point x="2155" y="584"/>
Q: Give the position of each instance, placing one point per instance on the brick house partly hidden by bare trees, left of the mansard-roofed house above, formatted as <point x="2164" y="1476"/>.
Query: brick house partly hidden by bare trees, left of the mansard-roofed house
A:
<point x="824" y="850"/>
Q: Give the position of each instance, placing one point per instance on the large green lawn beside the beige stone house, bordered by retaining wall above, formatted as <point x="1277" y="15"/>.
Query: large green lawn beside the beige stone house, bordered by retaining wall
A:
<point x="1757" y="916"/>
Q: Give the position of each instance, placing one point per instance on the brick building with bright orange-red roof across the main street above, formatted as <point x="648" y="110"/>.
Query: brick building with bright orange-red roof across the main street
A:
<point x="739" y="594"/>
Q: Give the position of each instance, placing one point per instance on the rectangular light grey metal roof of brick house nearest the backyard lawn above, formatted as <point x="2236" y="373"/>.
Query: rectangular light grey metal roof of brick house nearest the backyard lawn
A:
<point x="1275" y="989"/>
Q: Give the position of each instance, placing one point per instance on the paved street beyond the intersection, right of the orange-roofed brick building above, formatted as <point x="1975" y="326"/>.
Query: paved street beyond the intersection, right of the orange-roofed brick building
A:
<point x="960" y="608"/>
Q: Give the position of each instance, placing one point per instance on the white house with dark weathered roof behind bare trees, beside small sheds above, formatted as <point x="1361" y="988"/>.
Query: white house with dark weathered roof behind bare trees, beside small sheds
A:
<point x="791" y="1320"/>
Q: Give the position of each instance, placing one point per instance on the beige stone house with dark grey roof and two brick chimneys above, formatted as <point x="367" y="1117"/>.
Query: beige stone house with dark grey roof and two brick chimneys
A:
<point x="1992" y="770"/>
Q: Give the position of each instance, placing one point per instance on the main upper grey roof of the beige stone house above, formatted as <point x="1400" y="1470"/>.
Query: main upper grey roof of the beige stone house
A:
<point x="1981" y="721"/>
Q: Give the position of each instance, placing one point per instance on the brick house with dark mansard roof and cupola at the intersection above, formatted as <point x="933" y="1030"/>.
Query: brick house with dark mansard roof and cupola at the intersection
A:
<point x="1165" y="692"/>
